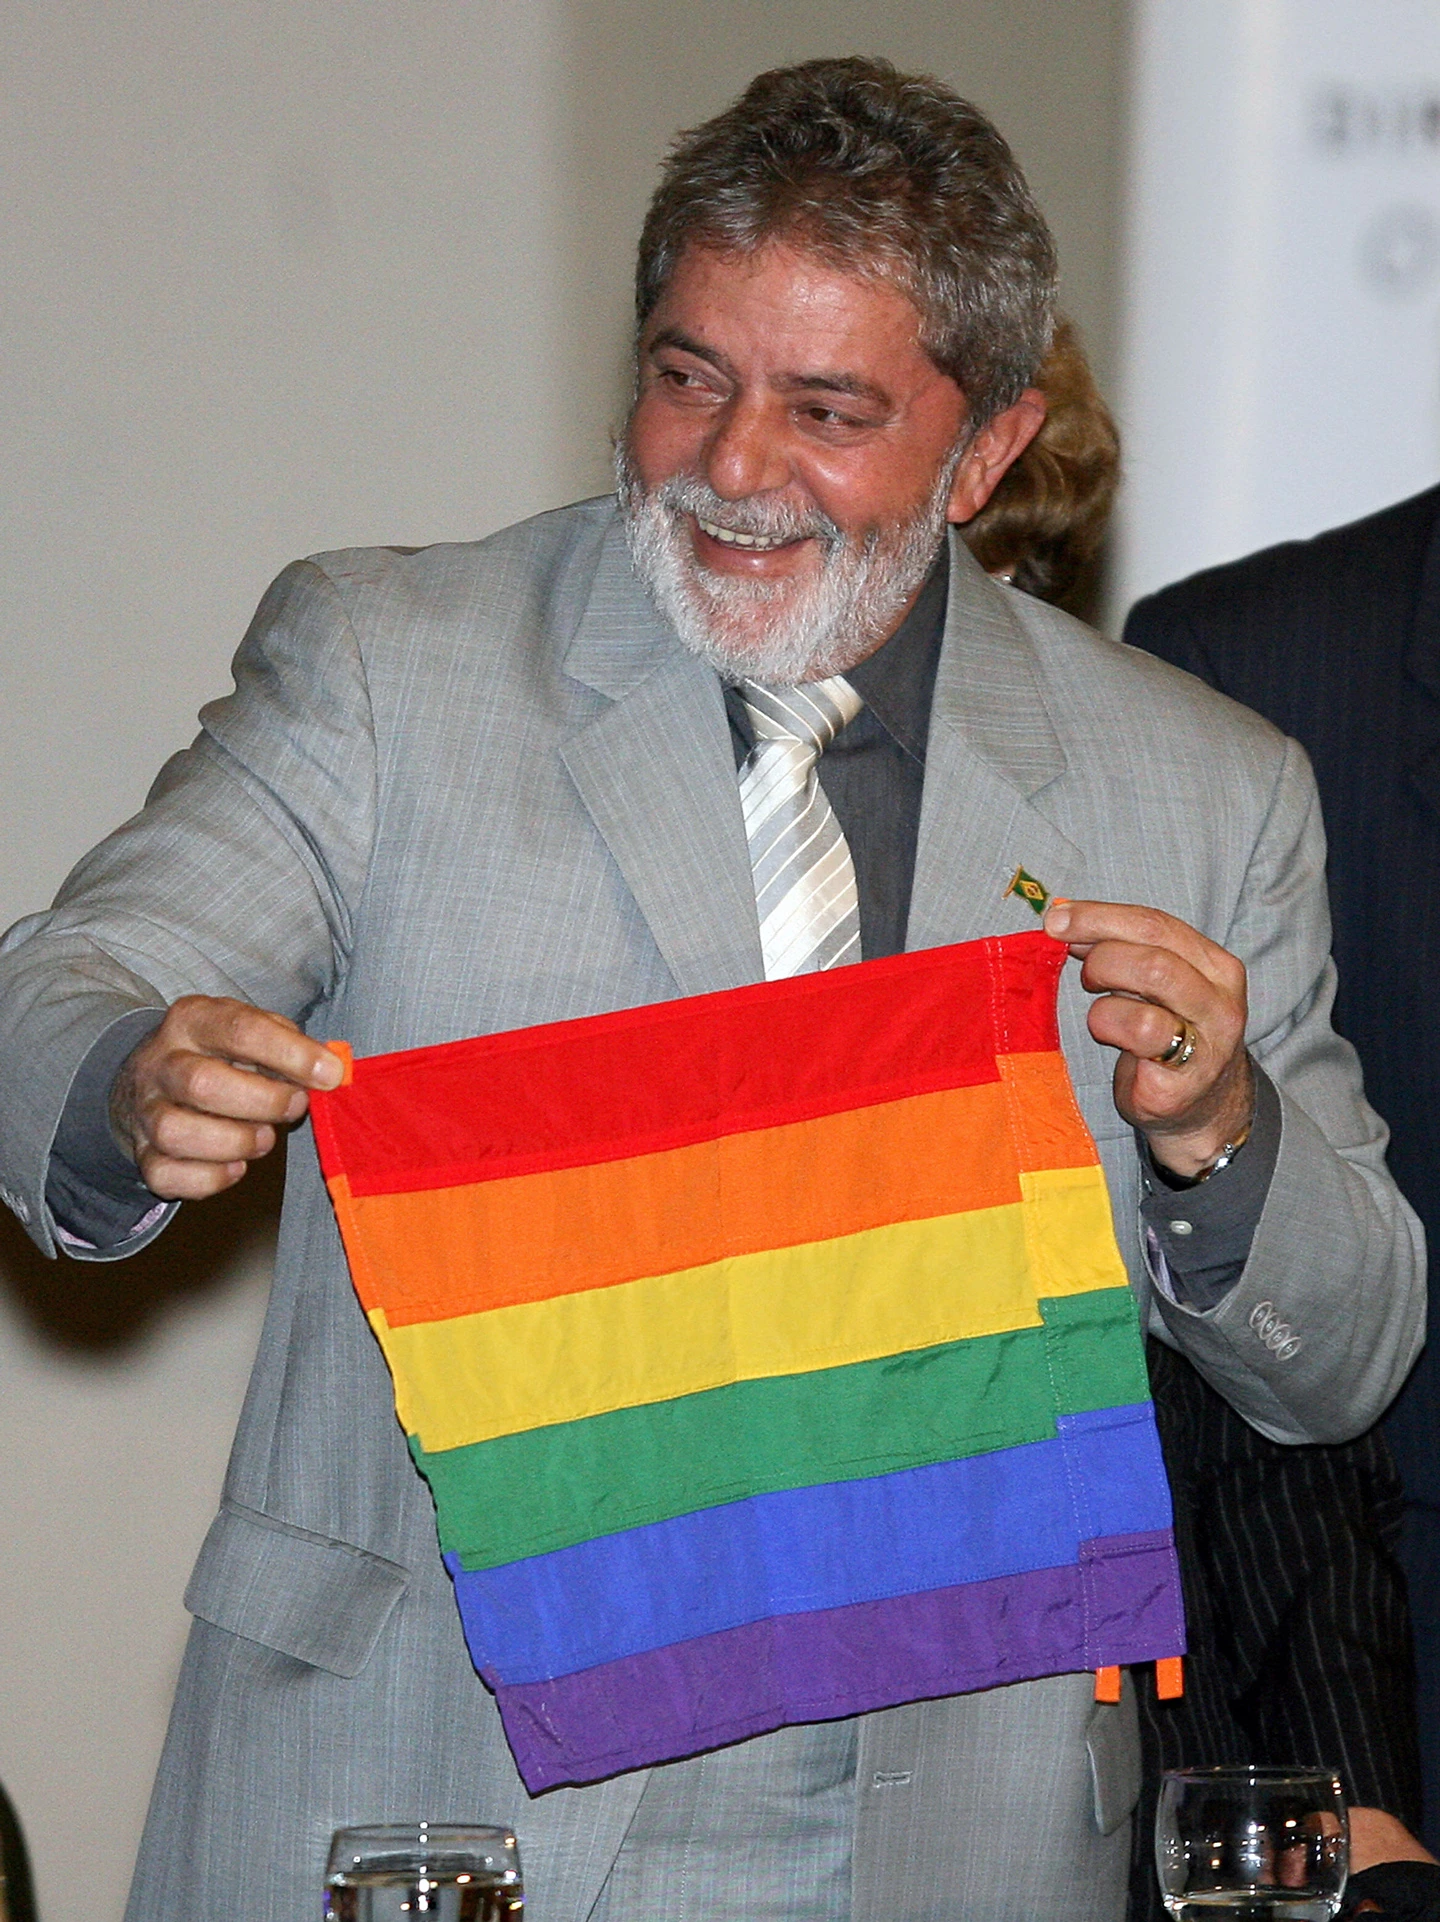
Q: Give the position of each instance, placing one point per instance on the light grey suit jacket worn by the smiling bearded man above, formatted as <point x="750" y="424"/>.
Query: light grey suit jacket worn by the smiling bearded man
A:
<point x="484" y="787"/>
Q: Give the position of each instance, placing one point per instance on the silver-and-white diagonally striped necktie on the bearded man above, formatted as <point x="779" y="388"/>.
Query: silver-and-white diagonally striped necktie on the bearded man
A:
<point x="799" y="856"/>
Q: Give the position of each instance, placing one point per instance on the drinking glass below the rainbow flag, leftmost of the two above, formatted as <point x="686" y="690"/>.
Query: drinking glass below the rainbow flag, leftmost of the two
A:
<point x="424" y="1869"/>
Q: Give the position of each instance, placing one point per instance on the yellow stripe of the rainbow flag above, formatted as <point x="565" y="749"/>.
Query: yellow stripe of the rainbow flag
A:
<point x="785" y="1312"/>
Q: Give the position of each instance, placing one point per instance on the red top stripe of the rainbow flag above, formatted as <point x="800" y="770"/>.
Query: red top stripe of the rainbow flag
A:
<point x="658" y="1077"/>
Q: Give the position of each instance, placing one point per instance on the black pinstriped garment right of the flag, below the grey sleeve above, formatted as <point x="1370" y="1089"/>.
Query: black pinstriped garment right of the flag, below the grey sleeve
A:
<point x="1295" y="1608"/>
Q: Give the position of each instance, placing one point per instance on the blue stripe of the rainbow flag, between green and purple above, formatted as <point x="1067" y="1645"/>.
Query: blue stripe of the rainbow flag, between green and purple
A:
<point x="818" y="1548"/>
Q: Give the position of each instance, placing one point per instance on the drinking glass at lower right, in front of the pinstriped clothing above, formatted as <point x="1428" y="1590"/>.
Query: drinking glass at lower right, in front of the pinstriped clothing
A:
<point x="1253" y="1844"/>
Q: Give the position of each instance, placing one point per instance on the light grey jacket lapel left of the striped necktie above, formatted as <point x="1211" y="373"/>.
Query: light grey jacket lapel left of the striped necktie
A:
<point x="657" y="772"/>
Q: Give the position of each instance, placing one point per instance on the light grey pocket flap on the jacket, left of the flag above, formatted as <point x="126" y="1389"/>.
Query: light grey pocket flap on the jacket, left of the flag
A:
<point x="312" y="1598"/>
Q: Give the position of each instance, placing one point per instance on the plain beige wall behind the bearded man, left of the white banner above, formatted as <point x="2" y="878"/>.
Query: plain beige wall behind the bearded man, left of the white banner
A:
<point x="284" y="276"/>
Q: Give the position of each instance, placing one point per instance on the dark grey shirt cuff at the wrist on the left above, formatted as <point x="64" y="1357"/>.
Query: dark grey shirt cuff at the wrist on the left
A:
<point x="93" y="1189"/>
